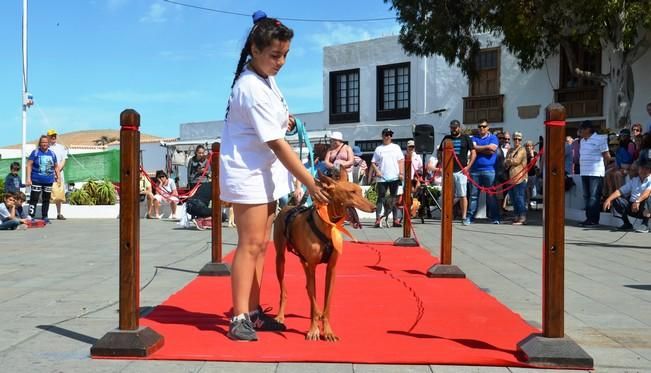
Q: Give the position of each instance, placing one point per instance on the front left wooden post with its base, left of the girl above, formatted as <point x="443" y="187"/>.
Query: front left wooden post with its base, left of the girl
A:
<point x="129" y="339"/>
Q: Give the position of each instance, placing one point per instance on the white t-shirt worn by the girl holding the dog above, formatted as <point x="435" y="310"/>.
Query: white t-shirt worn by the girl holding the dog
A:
<point x="250" y="172"/>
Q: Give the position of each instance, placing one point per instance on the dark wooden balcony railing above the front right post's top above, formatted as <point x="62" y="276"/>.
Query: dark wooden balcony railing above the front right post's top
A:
<point x="581" y="101"/>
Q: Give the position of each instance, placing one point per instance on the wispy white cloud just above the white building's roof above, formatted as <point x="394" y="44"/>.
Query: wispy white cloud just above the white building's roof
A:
<point x="338" y="33"/>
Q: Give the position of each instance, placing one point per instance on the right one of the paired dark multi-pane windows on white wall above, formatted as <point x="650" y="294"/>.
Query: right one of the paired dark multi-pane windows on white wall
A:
<point x="393" y="82"/>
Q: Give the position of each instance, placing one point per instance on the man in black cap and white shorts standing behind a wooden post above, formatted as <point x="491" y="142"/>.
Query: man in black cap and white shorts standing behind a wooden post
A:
<point x="465" y="151"/>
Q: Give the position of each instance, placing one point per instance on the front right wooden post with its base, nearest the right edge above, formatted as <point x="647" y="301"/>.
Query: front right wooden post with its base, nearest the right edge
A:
<point x="553" y="348"/>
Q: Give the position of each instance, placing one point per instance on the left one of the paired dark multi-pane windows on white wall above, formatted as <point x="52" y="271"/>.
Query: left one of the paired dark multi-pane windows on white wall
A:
<point x="344" y="96"/>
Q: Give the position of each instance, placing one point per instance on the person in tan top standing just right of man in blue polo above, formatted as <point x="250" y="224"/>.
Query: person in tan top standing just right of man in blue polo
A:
<point x="516" y="163"/>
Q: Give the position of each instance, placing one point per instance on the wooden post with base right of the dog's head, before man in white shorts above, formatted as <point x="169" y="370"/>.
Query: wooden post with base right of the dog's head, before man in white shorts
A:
<point x="445" y="267"/>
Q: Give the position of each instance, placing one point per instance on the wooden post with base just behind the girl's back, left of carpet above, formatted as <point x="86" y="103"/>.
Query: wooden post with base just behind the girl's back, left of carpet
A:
<point x="215" y="267"/>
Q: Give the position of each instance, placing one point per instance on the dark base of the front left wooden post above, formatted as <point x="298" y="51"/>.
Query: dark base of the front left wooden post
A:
<point x="138" y="343"/>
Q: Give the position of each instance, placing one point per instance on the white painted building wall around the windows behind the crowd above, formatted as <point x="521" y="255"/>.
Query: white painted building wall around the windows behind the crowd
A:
<point x="436" y="85"/>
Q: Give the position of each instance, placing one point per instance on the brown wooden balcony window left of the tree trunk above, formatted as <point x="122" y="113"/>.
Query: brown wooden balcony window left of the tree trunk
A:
<point x="485" y="100"/>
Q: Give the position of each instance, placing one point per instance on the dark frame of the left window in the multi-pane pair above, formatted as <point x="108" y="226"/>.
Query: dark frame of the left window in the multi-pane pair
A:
<point x="337" y="114"/>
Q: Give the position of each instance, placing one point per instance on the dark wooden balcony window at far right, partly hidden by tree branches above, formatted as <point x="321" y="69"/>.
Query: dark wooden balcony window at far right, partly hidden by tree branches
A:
<point x="581" y="97"/>
